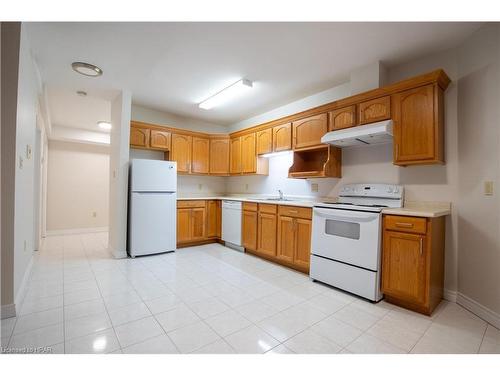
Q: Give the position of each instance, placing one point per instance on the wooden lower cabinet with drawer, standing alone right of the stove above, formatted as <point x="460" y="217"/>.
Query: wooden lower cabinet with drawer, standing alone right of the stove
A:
<point x="413" y="263"/>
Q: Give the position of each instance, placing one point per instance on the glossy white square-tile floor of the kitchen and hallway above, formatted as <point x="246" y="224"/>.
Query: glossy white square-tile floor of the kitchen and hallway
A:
<point x="210" y="299"/>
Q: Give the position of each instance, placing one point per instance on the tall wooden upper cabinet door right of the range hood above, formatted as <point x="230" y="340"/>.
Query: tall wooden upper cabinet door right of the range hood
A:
<point x="415" y="127"/>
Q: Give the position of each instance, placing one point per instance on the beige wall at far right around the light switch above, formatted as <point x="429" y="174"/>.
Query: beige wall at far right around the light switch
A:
<point x="479" y="161"/>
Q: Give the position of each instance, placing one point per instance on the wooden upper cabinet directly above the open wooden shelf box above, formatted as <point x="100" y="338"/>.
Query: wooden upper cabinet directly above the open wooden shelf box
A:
<point x="308" y="132"/>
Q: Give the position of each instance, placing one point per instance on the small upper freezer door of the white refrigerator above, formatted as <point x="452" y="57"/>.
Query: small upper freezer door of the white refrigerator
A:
<point x="153" y="175"/>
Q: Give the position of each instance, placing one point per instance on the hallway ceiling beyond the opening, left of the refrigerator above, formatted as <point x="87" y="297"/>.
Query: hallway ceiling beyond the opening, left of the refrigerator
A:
<point x="70" y="110"/>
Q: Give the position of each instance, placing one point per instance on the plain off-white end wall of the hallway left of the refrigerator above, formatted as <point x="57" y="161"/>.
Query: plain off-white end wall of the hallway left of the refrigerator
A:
<point x="77" y="186"/>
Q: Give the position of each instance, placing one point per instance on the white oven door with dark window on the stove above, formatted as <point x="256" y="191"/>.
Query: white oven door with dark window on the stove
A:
<point x="351" y="237"/>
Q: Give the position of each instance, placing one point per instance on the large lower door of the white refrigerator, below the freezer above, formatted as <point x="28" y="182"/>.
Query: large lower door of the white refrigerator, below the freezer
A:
<point x="152" y="225"/>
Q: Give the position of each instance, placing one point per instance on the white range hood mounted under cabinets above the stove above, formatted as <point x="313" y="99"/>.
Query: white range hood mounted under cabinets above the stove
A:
<point x="376" y="133"/>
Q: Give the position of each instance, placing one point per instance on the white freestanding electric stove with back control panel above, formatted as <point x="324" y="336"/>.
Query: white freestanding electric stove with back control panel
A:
<point x="346" y="238"/>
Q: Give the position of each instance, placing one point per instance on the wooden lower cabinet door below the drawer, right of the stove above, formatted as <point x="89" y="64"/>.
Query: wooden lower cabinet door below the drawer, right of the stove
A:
<point x="403" y="268"/>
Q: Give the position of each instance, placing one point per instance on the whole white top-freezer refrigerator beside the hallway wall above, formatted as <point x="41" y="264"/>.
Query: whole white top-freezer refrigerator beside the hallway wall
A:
<point x="152" y="221"/>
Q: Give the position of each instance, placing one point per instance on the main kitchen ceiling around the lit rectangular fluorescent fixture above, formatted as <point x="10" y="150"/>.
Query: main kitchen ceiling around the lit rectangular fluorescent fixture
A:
<point x="173" y="66"/>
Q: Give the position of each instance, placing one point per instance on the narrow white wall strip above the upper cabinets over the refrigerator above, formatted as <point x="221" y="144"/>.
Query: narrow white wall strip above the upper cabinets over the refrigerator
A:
<point x="153" y="116"/>
